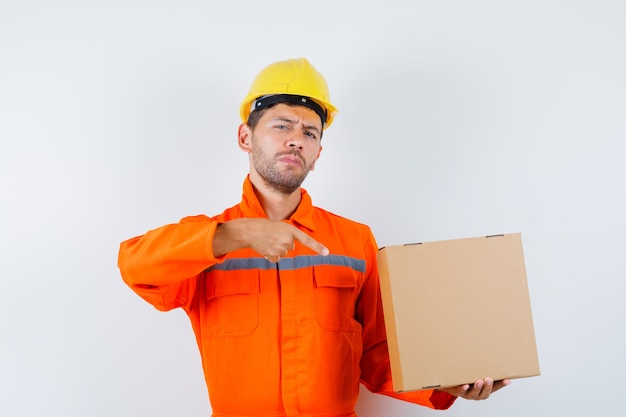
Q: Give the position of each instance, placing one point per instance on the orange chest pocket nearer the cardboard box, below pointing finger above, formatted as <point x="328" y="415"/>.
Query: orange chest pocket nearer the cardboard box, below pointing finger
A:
<point x="335" y="297"/>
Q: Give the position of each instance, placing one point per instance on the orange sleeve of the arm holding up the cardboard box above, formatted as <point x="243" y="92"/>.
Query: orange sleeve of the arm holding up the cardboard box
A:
<point x="375" y="365"/>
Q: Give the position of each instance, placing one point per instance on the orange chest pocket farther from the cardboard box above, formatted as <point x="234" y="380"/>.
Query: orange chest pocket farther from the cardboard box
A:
<point x="232" y="303"/>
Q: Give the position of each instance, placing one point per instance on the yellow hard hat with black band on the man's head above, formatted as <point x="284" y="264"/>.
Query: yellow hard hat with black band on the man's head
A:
<point x="293" y="81"/>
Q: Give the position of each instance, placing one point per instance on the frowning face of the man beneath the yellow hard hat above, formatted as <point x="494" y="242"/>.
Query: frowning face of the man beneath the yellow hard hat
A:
<point x="283" y="146"/>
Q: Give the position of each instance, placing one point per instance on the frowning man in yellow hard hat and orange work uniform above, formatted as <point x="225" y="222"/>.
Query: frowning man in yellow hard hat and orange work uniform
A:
<point x="283" y="296"/>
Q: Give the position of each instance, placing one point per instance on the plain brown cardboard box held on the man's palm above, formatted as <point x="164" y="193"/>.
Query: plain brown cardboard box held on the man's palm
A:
<point x="456" y="311"/>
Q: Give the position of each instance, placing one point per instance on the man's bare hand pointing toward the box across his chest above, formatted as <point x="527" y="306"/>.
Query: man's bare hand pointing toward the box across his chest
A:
<point x="270" y="238"/>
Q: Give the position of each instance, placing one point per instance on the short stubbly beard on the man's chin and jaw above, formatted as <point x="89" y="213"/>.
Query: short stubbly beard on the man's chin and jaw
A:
<point x="284" y="180"/>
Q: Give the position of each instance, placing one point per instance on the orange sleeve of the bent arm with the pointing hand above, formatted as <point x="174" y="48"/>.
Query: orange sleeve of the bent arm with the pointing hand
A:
<point x="162" y="265"/>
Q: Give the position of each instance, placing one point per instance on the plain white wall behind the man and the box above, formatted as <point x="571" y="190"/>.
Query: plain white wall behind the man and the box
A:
<point x="457" y="119"/>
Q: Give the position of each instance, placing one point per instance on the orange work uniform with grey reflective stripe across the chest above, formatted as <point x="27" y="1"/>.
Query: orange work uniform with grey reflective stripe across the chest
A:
<point x="292" y="338"/>
